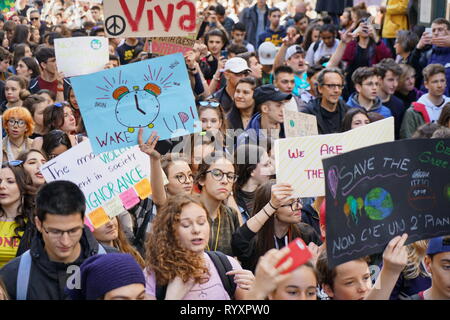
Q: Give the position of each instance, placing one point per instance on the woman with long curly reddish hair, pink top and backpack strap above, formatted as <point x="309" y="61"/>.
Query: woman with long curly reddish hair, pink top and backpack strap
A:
<point x="177" y="266"/>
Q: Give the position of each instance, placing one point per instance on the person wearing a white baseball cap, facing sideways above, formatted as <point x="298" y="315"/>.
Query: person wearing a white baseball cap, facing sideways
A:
<point x="235" y="69"/>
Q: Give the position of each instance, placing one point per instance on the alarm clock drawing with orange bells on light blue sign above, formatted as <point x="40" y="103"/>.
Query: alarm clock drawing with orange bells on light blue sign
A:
<point x="137" y="108"/>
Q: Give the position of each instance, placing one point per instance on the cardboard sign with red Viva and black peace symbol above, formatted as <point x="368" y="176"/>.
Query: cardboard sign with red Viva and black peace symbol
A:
<point x="143" y="18"/>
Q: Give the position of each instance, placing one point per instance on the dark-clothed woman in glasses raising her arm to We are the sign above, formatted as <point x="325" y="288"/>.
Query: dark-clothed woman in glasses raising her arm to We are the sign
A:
<point x="275" y="223"/>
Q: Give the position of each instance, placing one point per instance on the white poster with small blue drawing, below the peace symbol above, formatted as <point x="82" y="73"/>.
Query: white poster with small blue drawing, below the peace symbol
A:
<point x="81" y="55"/>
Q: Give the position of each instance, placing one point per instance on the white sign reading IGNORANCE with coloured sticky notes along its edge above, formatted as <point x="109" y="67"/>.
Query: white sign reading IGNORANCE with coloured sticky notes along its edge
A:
<point x="102" y="178"/>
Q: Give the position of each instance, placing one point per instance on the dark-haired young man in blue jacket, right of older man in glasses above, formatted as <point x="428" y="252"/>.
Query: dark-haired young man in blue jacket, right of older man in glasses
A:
<point x="367" y="83"/>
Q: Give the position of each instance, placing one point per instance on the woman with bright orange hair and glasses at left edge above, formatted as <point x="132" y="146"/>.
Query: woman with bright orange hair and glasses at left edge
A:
<point x="19" y="125"/>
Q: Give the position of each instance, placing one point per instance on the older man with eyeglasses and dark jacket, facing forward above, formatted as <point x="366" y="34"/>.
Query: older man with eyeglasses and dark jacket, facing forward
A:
<point x="328" y="107"/>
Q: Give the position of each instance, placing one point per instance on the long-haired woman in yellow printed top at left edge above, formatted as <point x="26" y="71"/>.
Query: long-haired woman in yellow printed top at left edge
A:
<point x="15" y="209"/>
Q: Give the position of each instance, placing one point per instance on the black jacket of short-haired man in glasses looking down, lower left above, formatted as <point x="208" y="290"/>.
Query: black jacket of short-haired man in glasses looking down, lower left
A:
<point x="47" y="278"/>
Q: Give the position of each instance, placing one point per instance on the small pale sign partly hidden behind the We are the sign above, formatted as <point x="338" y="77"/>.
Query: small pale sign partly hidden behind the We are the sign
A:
<point x="299" y="124"/>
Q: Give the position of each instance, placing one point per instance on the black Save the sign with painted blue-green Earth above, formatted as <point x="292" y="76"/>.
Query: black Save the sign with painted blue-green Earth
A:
<point x="376" y="193"/>
